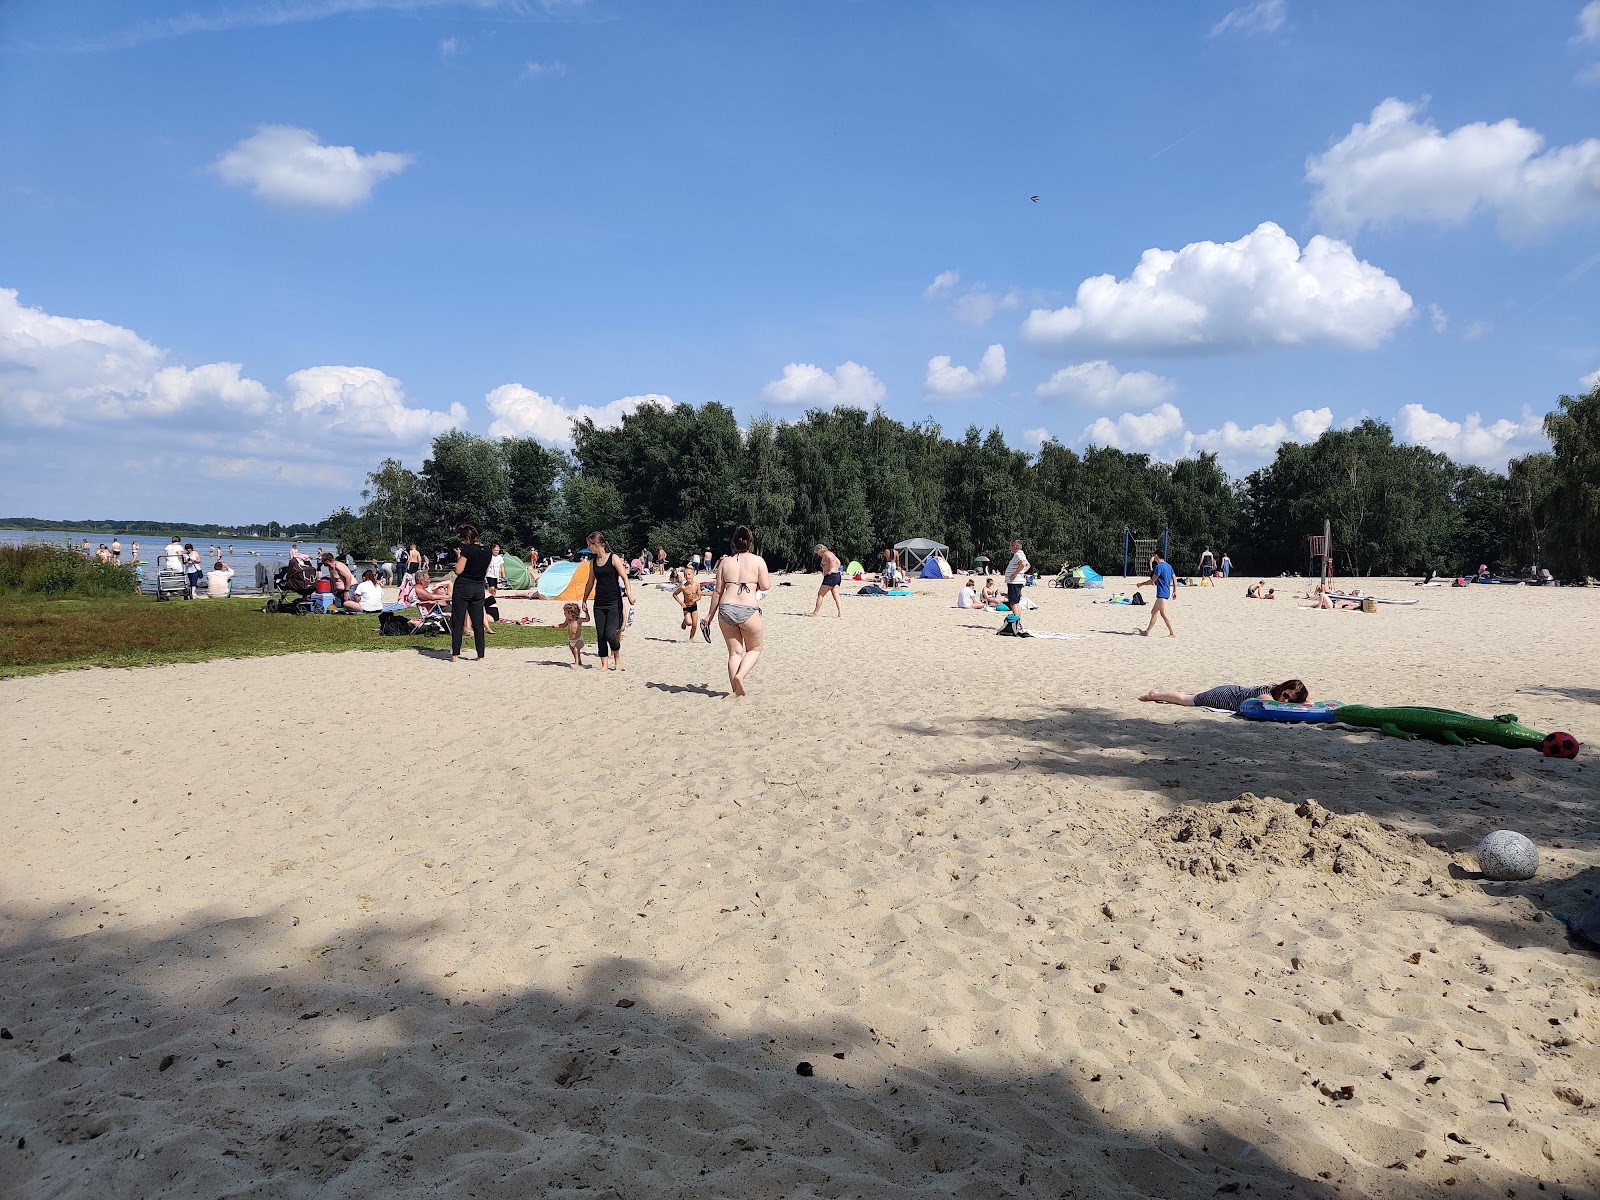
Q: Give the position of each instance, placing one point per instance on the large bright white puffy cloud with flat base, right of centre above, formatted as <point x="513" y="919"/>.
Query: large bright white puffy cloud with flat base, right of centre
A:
<point x="1258" y="292"/>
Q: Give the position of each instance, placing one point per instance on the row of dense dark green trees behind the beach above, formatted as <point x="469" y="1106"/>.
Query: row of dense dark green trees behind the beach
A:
<point x="684" y="478"/>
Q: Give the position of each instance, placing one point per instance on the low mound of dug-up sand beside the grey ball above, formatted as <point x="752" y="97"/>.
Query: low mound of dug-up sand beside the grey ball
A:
<point x="1249" y="833"/>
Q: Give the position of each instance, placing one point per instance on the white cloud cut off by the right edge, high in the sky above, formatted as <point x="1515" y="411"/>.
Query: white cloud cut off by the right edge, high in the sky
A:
<point x="1401" y="169"/>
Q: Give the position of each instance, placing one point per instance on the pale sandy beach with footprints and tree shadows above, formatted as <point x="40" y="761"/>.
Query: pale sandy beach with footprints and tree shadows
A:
<point x="348" y="926"/>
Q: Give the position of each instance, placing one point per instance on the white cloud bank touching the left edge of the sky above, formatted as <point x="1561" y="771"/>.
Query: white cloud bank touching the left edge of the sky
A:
<point x="62" y="370"/>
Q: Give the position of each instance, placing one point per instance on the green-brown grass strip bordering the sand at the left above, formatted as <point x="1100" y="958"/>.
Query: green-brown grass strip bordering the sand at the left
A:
<point x="41" y="636"/>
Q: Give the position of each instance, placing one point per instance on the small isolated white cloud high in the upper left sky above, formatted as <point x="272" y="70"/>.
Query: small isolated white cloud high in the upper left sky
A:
<point x="289" y="167"/>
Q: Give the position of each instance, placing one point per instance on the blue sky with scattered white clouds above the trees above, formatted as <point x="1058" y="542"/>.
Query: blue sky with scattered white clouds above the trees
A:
<point x="254" y="249"/>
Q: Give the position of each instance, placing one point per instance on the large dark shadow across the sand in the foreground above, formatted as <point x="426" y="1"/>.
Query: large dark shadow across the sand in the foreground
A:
<point x="388" y="1081"/>
